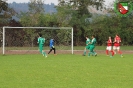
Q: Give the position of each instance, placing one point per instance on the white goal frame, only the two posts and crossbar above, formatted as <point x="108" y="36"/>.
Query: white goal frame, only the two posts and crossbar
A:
<point x="7" y="27"/>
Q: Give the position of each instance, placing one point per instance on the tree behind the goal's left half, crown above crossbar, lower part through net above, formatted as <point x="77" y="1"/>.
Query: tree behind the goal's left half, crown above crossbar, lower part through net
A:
<point x="31" y="18"/>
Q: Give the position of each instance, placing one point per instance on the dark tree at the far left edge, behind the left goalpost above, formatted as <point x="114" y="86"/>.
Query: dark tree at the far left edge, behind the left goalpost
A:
<point x="6" y="14"/>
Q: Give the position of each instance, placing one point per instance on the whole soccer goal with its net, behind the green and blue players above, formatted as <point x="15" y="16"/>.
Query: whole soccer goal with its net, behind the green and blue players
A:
<point x="23" y="40"/>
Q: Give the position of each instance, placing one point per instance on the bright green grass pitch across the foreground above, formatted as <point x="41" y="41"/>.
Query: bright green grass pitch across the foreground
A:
<point x="66" y="71"/>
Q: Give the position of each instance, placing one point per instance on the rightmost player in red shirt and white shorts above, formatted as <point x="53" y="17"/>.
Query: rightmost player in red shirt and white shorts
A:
<point x="117" y="41"/>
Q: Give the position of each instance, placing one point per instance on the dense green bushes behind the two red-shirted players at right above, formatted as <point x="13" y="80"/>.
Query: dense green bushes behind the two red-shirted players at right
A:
<point x="105" y="26"/>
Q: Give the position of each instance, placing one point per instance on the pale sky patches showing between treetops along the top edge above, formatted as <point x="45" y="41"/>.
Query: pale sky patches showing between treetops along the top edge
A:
<point x="107" y="2"/>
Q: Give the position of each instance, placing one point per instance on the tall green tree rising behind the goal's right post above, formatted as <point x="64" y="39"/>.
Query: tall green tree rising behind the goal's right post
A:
<point x="75" y="12"/>
